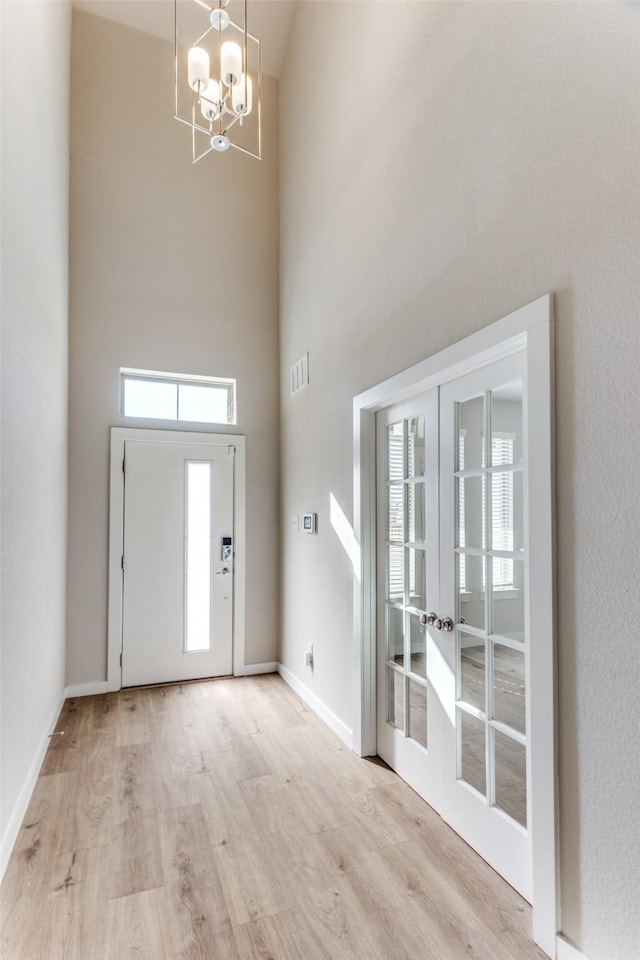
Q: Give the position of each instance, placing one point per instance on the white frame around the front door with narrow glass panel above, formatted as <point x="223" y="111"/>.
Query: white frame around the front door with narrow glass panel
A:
<point x="119" y="435"/>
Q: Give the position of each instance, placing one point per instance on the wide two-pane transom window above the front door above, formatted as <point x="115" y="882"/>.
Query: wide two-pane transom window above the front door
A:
<point x="149" y="394"/>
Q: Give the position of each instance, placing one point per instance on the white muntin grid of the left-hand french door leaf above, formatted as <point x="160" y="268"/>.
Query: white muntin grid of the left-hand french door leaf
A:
<point x="406" y="569"/>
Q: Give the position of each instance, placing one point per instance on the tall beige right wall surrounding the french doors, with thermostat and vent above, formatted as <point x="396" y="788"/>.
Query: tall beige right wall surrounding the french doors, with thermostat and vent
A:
<point x="441" y="165"/>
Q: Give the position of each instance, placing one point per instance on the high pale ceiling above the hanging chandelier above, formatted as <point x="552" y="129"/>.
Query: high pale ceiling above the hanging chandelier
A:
<point x="267" y="19"/>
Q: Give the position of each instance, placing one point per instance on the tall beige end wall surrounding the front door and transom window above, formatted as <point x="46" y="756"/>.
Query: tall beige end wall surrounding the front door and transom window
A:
<point x="173" y="267"/>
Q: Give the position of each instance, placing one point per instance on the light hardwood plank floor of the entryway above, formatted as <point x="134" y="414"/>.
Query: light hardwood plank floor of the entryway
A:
<point x="223" y="821"/>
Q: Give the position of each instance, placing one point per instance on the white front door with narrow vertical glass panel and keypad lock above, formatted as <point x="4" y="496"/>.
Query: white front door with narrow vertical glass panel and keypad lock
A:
<point x="178" y="564"/>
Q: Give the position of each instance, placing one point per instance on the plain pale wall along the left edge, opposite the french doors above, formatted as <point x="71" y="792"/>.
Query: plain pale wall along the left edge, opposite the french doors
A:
<point x="35" y="176"/>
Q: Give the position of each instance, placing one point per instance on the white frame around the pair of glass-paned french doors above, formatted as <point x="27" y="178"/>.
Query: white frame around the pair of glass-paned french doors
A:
<point x="529" y="329"/>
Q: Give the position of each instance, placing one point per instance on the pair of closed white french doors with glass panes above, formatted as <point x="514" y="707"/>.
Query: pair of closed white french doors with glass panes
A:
<point x="453" y="680"/>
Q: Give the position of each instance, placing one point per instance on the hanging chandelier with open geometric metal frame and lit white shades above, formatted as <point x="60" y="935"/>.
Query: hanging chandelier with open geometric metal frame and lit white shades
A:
<point x="218" y="77"/>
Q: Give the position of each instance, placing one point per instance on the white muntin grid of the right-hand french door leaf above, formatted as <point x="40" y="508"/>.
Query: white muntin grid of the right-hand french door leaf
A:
<point x="489" y="638"/>
